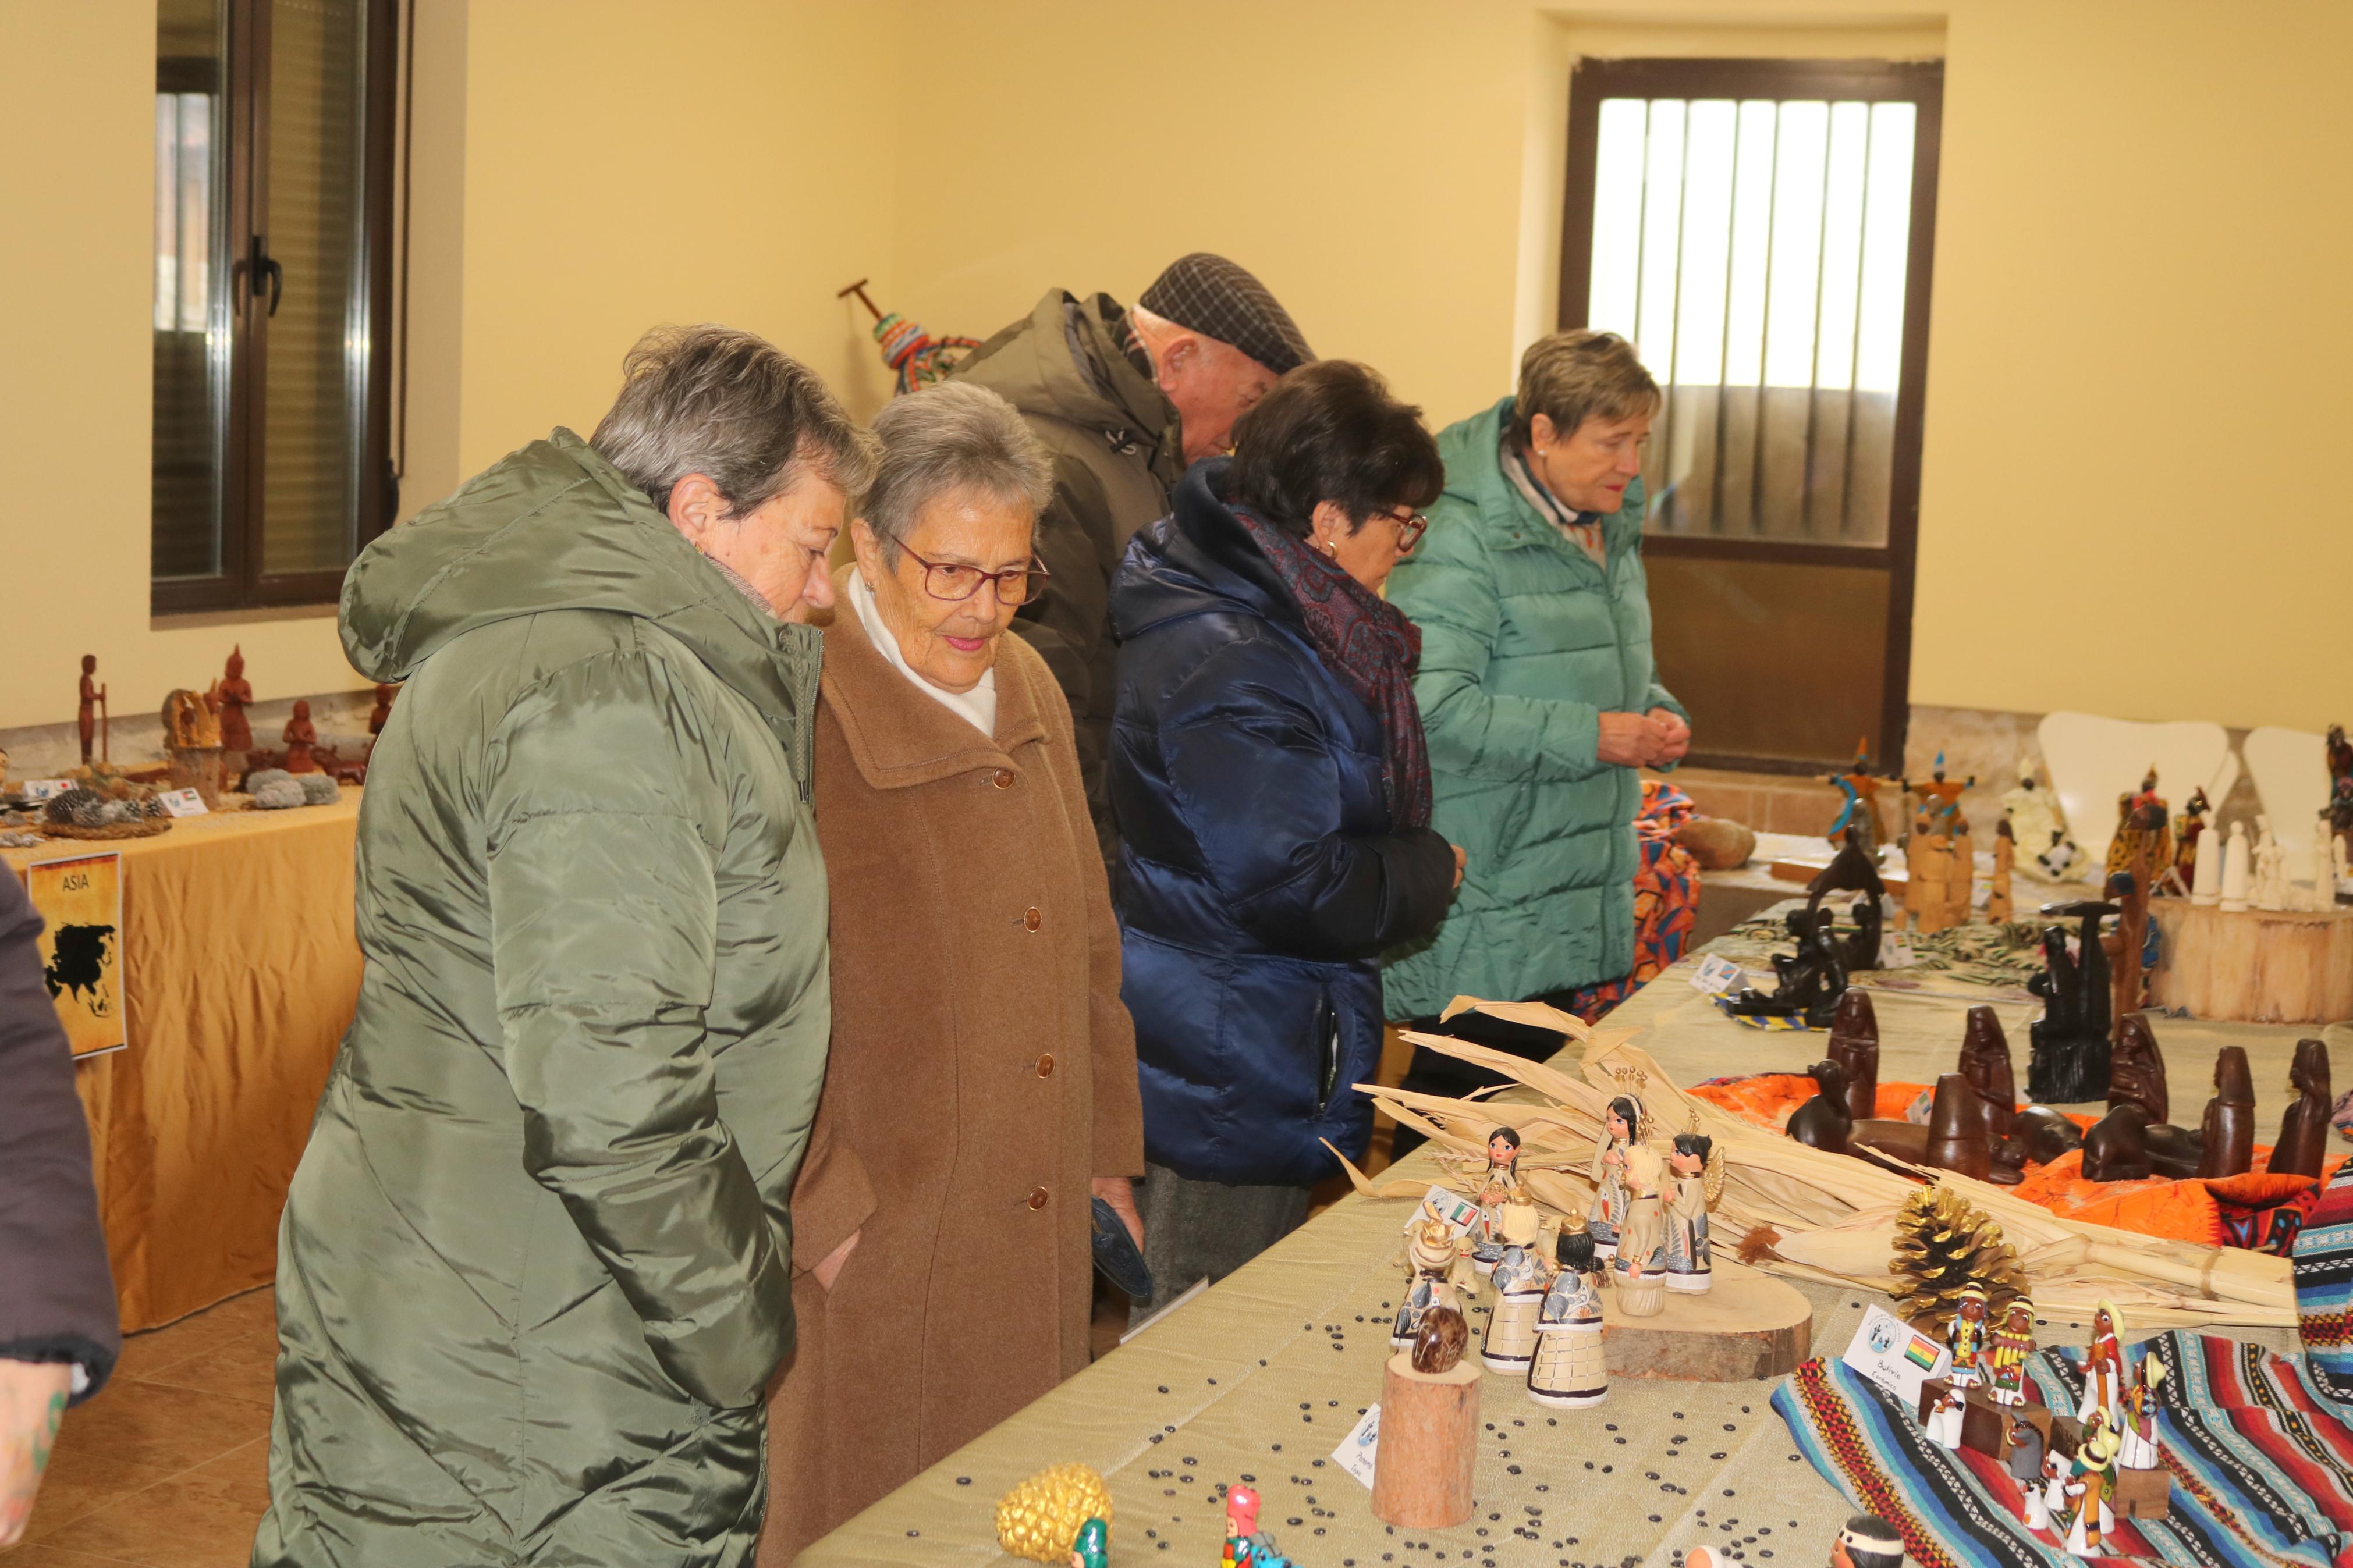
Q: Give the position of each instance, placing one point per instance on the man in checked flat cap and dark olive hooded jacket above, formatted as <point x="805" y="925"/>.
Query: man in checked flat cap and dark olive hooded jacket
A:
<point x="1126" y="398"/>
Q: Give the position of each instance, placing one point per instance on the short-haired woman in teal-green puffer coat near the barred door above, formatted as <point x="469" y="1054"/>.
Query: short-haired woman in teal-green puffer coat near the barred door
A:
<point x="1538" y="688"/>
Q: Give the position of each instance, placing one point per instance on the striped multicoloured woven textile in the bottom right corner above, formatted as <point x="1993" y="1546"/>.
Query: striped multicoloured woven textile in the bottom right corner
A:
<point x="2262" y="1466"/>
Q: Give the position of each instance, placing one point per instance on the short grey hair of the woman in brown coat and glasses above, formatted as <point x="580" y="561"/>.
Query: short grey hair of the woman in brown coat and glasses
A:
<point x="945" y="441"/>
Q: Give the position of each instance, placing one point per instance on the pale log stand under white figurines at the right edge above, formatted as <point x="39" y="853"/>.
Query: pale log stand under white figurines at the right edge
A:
<point x="2253" y="965"/>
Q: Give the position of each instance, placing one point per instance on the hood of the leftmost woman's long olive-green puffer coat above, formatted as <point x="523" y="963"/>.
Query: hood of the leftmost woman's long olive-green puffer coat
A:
<point x="559" y="528"/>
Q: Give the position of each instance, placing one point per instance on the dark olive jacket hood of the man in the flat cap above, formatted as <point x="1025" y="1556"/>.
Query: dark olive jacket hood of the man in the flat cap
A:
<point x="1036" y="368"/>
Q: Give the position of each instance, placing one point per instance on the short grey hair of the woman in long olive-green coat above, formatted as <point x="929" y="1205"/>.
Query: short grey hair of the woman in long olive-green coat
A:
<point x="733" y="408"/>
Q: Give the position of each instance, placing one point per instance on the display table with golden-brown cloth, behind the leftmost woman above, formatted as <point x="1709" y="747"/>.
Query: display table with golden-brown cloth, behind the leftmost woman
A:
<point x="241" y="974"/>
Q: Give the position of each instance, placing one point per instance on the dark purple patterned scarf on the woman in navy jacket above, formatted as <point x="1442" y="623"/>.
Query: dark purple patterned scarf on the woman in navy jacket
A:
<point x="1371" y="648"/>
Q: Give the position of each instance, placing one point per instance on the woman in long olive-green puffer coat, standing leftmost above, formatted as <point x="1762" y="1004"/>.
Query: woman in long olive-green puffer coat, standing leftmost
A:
<point x="535" y="1268"/>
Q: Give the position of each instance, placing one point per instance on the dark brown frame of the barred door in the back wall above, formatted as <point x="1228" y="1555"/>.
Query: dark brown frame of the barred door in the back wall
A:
<point x="1841" y="81"/>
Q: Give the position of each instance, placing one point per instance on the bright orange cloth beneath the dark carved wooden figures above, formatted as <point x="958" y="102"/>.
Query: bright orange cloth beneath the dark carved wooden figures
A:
<point x="2157" y="1207"/>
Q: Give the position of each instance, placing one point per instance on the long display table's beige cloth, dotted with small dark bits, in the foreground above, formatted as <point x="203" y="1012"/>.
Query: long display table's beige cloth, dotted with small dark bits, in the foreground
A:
<point x="1265" y="1374"/>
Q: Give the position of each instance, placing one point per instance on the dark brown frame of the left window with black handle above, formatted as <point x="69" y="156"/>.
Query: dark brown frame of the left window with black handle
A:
<point x="241" y="582"/>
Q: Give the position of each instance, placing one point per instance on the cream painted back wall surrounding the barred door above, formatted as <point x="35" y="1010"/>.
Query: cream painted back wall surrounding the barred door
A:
<point x="2140" y="328"/>
